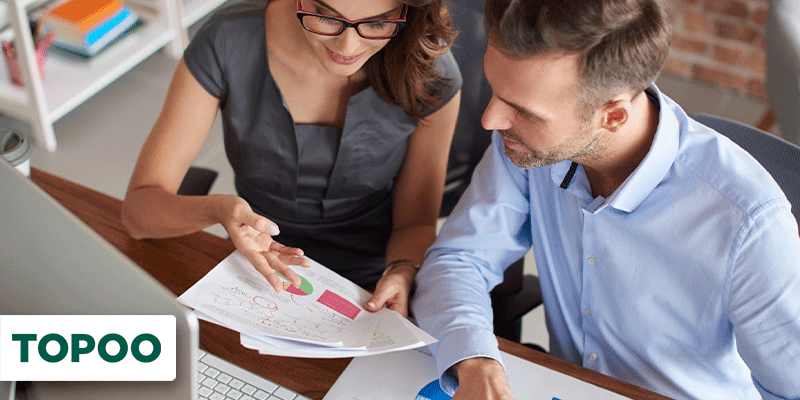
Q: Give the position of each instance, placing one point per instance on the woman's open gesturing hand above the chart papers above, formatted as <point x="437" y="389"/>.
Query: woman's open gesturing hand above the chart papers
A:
<point x="252" y="235"/>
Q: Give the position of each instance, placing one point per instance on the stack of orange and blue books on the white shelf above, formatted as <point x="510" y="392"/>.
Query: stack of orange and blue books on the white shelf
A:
<point x="87" y="26"/>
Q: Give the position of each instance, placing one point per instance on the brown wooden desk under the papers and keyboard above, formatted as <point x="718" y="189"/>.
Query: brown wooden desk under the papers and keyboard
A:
<point x="180" y="262"/>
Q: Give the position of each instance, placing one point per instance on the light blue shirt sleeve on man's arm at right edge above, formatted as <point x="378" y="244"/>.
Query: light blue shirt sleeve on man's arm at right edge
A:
<point x="763" y="300"/>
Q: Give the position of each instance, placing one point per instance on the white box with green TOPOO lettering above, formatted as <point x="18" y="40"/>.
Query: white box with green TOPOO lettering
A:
<point x="87" y="347"/>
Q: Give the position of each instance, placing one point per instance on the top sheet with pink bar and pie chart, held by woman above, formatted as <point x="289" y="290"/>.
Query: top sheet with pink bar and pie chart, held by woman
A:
<point x="239" y="297"/>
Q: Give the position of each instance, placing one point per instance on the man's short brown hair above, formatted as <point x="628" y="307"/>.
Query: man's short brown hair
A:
<point x="623" y="43"/>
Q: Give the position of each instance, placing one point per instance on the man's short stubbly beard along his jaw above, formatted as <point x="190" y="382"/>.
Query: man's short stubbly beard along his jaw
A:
<point x="536" y="158"/>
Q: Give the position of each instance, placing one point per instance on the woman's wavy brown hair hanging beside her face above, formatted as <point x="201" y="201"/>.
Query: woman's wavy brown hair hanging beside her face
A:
<point x="403" y="72"/>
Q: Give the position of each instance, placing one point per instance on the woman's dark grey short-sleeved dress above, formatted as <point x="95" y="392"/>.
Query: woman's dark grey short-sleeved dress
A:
<point x="328" y="189"/>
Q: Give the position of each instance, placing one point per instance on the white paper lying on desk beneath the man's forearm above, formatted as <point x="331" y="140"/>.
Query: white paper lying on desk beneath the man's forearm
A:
<point x="402" y="375"/>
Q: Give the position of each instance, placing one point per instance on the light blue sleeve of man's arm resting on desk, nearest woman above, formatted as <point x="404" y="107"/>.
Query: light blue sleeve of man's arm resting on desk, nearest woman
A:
<point x="487" y="231"/>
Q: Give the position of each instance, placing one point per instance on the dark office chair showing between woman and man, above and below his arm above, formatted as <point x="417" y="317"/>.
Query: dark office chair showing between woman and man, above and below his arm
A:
<point x="518" y="293"/>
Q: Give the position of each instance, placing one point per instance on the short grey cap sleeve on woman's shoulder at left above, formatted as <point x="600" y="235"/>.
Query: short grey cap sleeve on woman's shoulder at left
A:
<point x="204" y="56"/>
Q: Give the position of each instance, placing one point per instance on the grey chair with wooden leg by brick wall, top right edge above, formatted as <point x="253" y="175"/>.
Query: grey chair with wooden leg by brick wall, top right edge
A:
<point x="783" y="67"/>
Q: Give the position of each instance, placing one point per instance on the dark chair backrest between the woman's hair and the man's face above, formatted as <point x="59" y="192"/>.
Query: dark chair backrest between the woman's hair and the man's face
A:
<point x="470" y="139"/>
